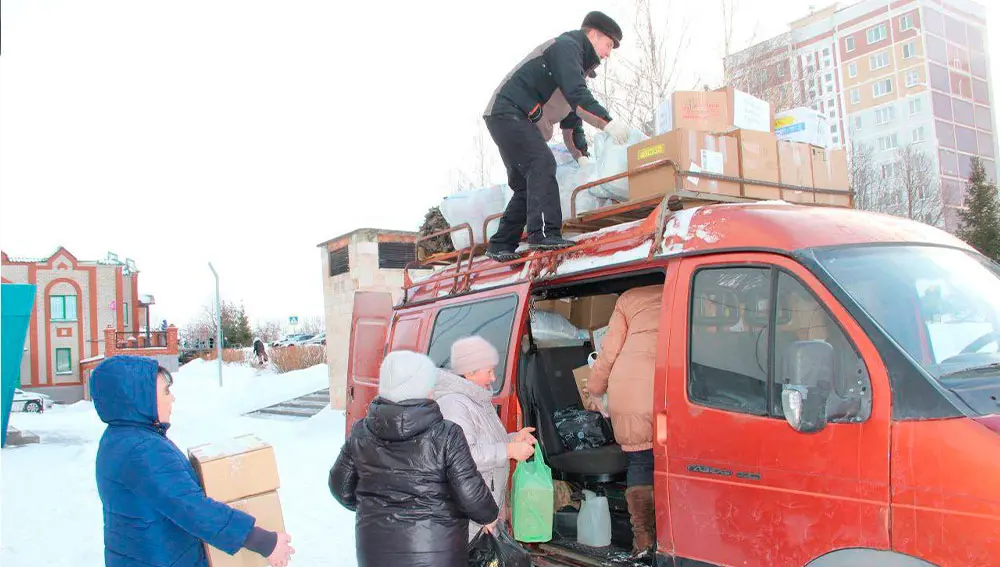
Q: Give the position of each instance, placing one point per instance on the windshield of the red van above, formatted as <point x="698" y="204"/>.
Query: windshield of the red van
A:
<point x="941" y="305"/>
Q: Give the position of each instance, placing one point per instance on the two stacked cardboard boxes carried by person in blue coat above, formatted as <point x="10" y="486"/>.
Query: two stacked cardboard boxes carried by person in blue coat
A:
<point x="243" y="473"/>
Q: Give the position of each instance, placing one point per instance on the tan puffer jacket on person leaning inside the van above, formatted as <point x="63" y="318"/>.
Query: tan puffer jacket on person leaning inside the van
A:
<point x="625" y="365"/>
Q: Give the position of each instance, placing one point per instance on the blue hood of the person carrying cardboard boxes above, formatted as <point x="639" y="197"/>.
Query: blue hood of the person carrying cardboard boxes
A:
<point x="123" y="389"/>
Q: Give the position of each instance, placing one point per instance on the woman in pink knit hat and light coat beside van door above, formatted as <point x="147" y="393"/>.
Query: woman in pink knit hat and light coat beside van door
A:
<point x="466" y="398"/>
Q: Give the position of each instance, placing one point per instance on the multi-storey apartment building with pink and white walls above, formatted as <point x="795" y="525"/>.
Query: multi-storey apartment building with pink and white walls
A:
<point x="889" y="74"/>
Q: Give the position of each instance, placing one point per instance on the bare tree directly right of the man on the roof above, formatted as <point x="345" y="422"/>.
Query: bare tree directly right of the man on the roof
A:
<point x="633" y="87"/>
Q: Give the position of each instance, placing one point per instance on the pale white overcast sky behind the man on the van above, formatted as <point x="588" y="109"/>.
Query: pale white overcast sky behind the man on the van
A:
<point x="246" y="132"/>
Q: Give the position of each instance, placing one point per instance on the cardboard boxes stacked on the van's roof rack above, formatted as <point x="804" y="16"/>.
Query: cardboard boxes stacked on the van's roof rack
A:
<point x="732" y="134"/>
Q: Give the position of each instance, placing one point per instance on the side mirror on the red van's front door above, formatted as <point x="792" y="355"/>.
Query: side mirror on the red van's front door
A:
<point x="808" y="371"/>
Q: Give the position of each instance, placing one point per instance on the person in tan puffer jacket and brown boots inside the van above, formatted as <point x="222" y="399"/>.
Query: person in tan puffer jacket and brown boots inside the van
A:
<point x="624" y="370"/>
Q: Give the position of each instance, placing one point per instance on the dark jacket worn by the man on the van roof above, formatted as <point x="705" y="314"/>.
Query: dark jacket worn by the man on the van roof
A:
<point x="549" y="87"/>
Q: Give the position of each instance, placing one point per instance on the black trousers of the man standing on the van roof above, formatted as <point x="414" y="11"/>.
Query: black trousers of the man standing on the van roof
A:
<point x="531" y="174"/>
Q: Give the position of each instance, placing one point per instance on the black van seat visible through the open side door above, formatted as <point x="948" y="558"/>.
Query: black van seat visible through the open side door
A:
<point x="547" y="385"/>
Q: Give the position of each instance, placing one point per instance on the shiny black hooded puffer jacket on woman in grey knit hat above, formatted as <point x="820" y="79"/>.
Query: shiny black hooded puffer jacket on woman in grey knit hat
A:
<point x="411" y="479"/>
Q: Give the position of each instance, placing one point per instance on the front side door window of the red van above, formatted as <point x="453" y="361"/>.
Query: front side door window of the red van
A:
<point x="737" y="362"/>
